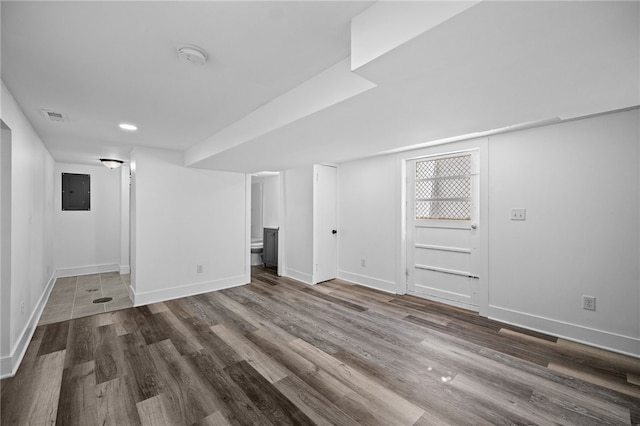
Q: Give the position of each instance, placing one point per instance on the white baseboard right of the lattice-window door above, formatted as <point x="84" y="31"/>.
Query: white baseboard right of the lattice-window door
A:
<point x="626" y="345"/>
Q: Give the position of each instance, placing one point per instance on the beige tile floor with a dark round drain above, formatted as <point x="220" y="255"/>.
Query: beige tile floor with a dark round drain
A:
<point x="72" y="297"/>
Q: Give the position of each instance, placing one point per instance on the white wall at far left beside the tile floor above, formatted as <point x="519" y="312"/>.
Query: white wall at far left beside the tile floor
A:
<point x="32" y="169"/>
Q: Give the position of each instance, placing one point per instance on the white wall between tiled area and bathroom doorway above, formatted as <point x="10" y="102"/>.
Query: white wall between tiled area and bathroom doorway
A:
<point x="181" y="218"/>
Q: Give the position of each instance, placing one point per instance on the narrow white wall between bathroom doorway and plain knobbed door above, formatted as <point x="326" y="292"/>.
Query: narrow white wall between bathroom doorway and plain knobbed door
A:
<point x="298" y="217"/>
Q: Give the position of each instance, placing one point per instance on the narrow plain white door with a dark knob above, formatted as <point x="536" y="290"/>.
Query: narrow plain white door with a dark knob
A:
<point x="325" y="219"/>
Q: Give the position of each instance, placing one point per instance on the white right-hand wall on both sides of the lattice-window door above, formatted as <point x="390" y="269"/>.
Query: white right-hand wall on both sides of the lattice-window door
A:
<point x="580" y="184"/>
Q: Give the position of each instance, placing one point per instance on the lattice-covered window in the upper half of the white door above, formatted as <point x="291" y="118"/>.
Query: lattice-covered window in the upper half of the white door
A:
<point x="443" y="188"/>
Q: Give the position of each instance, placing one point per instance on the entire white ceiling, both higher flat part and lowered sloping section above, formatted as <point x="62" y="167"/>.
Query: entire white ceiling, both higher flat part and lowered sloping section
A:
<point x="493" y="65"/>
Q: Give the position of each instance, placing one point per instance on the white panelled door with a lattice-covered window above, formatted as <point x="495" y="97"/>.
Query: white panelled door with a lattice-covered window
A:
<point x="442" y="228"/>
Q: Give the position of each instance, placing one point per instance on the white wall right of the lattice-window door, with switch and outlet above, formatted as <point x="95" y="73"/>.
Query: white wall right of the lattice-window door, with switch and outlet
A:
<point x="579" y="183"/>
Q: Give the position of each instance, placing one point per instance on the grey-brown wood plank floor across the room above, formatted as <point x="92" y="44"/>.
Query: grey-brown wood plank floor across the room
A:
<point x="279" y="352"/>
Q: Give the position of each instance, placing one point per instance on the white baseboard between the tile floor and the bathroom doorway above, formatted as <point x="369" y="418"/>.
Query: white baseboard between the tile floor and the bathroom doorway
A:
<point x="161" y="295"/>
